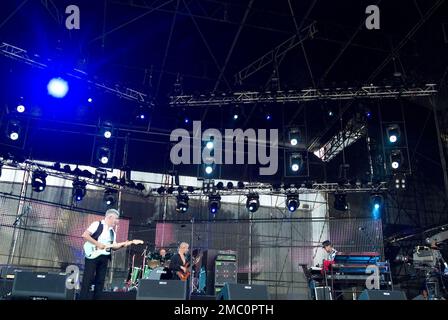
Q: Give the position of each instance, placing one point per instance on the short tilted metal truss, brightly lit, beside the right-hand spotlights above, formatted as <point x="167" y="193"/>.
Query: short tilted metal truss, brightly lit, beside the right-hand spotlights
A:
<point x="354" y="131"/>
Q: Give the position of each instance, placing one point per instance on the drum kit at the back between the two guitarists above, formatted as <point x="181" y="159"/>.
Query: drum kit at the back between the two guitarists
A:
<point x="154" y="267"/>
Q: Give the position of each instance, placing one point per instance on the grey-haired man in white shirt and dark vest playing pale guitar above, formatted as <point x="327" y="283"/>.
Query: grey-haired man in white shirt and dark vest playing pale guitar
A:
<point x="102" y="235"/>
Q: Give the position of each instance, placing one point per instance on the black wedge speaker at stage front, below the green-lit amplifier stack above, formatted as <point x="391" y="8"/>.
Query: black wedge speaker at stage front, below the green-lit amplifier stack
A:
<point x="234" y="291"/>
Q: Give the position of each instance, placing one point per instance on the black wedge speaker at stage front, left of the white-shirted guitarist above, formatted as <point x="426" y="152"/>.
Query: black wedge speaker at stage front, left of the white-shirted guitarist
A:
<point x="40" y="286"/>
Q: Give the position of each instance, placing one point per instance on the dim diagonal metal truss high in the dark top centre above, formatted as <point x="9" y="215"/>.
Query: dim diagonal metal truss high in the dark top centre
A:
<point x="277" y="53"/>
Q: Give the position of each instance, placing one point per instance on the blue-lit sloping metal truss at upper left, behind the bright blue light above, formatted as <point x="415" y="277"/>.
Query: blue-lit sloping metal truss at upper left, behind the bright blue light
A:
<point x="21" y="55"/>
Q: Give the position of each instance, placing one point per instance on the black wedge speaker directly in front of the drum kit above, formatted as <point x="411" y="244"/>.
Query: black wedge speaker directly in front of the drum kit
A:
<point x="162" y="290"/>
